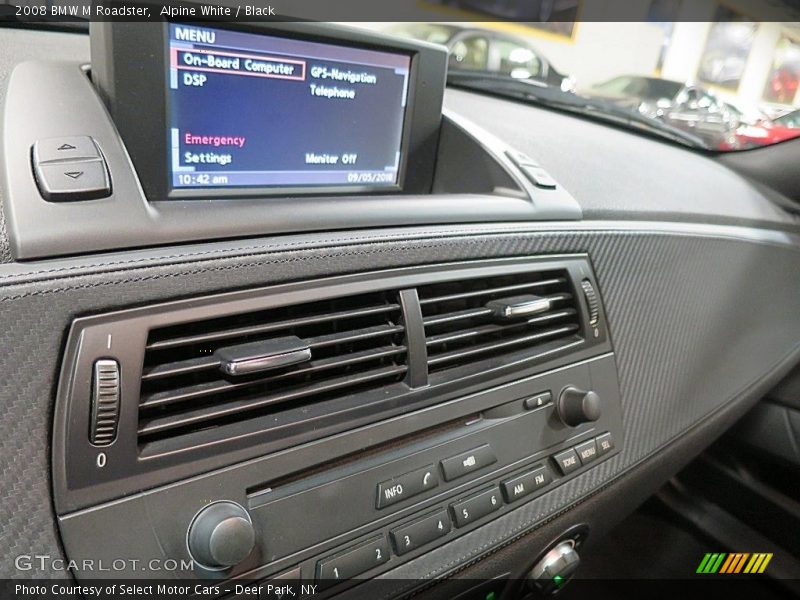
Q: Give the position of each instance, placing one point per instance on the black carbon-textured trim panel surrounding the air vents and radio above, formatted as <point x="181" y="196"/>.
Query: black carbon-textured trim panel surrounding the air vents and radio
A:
<point x="694" y="320"/>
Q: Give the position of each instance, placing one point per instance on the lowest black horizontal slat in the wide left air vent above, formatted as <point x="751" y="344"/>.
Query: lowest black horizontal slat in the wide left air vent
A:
<point x="161" y="424"/>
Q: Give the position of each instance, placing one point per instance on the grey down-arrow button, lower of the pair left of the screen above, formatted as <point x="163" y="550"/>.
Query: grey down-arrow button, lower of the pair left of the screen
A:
<point x="68" y="181"/>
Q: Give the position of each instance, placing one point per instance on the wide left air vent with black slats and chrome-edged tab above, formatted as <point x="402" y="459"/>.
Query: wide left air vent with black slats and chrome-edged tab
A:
<point x="190" y="383"/>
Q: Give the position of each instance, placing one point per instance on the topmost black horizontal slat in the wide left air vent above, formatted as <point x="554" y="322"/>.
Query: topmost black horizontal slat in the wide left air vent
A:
<point x="212" y="336"/>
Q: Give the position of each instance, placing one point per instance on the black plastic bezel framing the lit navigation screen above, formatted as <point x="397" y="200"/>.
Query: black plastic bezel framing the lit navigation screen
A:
<point x="130" y="66"/>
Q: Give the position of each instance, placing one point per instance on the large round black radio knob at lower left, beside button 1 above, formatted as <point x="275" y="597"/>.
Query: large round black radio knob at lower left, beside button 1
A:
<point x="221" y="535"/>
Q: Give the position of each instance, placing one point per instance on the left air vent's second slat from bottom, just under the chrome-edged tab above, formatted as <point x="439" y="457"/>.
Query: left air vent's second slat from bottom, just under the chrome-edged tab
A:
<point x="193" y="392"/>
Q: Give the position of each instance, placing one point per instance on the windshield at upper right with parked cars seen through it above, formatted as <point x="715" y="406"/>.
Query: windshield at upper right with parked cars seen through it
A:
<point x="725" y="85"/>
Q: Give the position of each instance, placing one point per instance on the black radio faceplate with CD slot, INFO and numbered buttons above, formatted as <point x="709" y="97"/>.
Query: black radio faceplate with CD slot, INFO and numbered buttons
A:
<point x="474" y="458"/>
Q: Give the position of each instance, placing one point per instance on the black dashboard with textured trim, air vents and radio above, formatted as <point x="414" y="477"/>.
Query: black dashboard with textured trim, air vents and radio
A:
<point x="447" y="378"/>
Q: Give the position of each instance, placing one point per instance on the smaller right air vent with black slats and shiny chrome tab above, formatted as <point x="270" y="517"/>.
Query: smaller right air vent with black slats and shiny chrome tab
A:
<point x="476" y="320"/>
